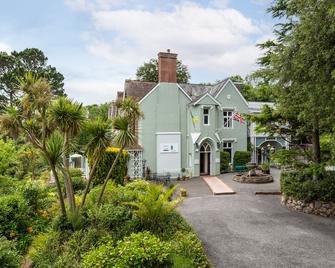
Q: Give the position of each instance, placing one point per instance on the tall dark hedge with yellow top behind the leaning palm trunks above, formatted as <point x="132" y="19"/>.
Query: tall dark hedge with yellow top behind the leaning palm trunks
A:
<point x="120" y="169"/>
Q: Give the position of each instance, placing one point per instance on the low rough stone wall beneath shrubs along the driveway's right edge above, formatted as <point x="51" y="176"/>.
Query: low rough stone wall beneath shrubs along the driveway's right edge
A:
<point x="317" y="207"/>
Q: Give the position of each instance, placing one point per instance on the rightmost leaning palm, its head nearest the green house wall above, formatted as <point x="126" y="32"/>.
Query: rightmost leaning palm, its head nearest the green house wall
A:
<point x="123" y="136"/>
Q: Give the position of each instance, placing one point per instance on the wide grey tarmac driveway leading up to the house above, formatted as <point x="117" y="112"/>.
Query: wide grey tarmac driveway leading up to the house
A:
<point x="248" y="230"/>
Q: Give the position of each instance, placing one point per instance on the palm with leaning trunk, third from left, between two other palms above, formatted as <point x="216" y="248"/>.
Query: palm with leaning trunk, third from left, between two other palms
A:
<point x="98" y="132"/>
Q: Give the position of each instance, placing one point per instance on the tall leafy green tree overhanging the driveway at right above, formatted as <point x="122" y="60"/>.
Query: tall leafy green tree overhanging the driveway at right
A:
<point x="299" y="63"/>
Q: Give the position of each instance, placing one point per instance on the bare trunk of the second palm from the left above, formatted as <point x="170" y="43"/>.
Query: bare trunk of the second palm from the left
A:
<point x="67" y="177"/>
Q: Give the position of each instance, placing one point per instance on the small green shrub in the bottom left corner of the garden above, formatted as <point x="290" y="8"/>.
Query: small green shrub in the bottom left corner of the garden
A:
<point x="9" y="256"/>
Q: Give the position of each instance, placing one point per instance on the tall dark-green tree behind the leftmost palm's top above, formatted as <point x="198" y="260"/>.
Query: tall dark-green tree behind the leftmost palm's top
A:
<point x="16" y="64"/>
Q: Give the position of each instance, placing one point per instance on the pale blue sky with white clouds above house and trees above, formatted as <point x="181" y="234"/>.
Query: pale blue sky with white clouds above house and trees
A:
<point x="97" y="44"/>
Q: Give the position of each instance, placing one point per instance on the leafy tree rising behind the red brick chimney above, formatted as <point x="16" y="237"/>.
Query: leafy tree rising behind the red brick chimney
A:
<point x="149" y="72"/>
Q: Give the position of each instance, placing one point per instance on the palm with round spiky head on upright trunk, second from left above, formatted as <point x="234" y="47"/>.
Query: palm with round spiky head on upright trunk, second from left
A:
<point x="68" y="116"/>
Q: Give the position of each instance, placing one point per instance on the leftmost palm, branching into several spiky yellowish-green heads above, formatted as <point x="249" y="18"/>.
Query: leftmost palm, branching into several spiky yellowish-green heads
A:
<point x="31" y="118"/>
